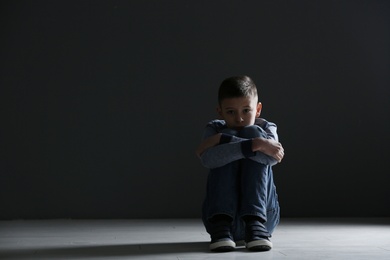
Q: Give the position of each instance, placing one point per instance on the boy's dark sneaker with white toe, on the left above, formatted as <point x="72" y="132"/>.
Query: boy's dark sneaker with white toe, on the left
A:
<point x="221" y="238"/>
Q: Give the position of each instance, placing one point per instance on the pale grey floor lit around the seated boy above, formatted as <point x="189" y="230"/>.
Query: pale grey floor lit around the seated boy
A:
<point x="186" y="239"/>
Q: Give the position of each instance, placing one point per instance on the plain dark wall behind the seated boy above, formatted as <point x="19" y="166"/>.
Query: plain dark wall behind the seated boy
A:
<point x="104" y="102"/>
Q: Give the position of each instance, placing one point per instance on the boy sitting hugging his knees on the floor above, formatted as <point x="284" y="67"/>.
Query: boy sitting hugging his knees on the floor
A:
<point x="241" y="201"/>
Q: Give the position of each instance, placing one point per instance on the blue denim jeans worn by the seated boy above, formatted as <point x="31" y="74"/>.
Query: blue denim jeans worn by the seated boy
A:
<point x="242" y="188"/>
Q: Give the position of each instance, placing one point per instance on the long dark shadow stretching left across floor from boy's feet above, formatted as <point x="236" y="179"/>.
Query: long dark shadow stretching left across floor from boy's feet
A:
<point x="128" y="250"/>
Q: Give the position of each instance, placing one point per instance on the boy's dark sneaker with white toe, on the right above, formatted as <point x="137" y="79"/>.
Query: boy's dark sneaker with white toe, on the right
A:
<point x="257" y="236"/>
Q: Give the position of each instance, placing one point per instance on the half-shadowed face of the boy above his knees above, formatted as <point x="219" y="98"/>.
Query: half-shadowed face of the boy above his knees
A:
<point x="239" y="112"/>
